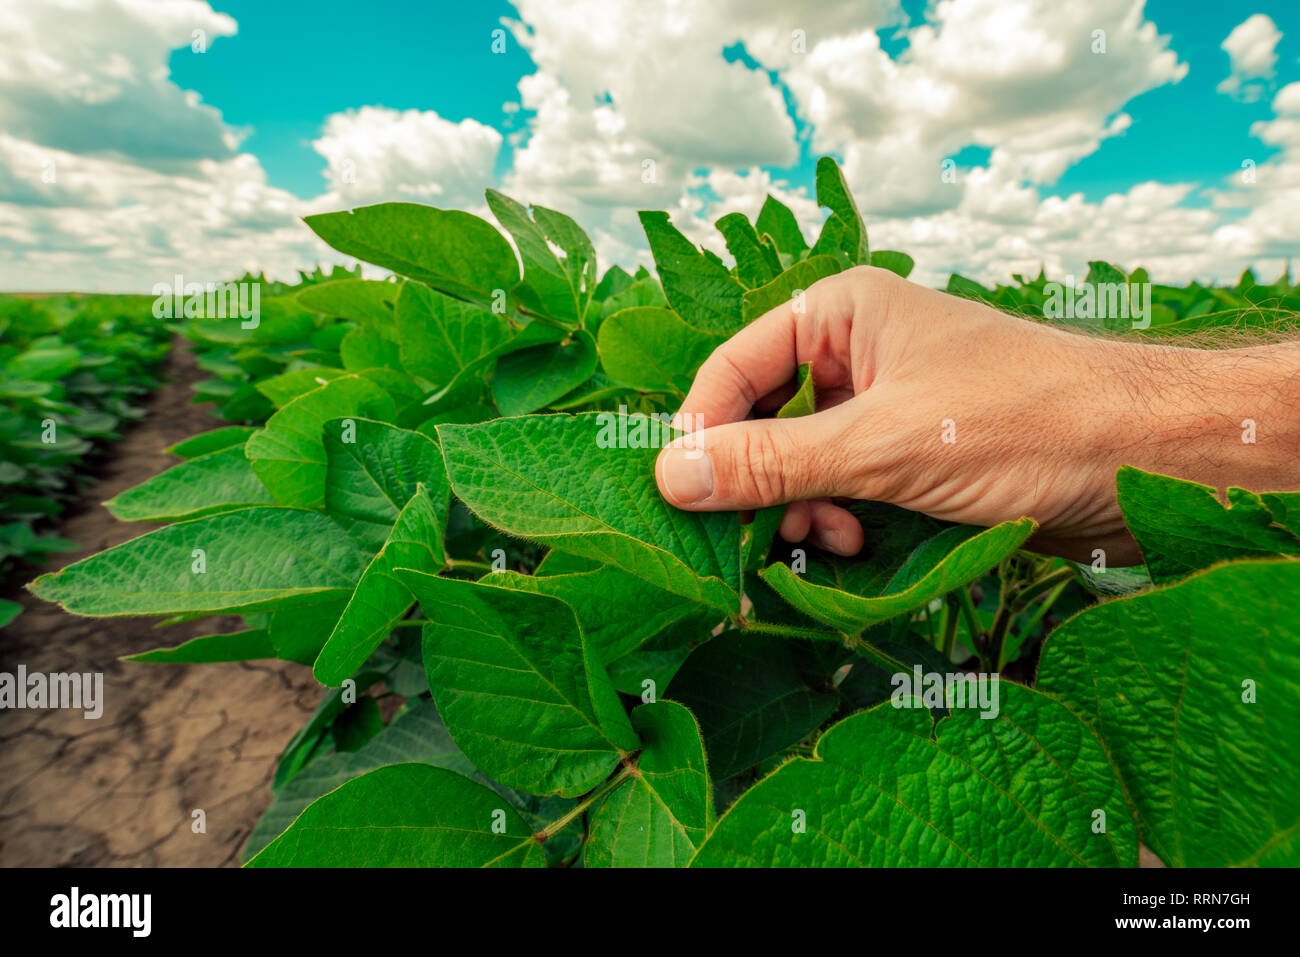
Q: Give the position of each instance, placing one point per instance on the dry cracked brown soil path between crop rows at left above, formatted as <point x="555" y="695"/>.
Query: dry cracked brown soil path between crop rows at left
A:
<point x="122" y="791"/>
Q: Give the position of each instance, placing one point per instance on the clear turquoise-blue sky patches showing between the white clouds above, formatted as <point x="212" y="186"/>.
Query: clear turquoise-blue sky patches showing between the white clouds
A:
<point x="285" y="72"/>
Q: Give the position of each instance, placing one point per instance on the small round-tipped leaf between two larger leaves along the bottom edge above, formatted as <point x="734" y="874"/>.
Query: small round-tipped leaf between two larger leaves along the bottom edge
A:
<point x="658" y="817"/>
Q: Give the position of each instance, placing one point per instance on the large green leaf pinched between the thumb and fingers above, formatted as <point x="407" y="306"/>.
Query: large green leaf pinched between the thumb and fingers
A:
<point x="564" y="480"/>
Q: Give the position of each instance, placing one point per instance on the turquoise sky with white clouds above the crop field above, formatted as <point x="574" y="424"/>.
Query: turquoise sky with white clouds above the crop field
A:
<point x="148" y="138"/>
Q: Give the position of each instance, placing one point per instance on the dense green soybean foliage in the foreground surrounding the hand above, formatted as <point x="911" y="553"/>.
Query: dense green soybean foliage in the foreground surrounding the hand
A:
<point x="445" y="493"/>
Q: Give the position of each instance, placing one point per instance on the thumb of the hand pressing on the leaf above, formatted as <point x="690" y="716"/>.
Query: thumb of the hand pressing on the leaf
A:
<point x="755" y="465"/>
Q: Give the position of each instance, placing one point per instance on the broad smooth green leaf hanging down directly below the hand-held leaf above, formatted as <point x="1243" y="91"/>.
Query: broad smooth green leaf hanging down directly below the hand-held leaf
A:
<point x="518" y="687"/>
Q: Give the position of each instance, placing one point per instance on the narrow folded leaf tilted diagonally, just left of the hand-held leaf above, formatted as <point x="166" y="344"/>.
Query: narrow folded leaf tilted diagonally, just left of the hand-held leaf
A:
<point x="382" y="597"/>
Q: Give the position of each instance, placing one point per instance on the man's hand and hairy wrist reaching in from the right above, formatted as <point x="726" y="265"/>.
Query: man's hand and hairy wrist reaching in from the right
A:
<point x="956" y="410"/>
